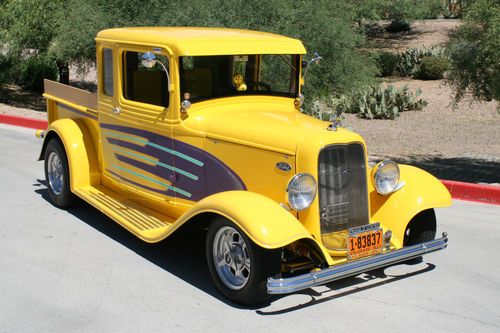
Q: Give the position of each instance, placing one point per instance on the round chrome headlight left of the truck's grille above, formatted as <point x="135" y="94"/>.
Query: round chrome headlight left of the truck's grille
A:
<point x="301" y="191"/>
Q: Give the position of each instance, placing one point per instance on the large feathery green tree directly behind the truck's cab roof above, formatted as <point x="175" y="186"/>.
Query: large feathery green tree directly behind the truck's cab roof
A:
<point x="325" y="26"/>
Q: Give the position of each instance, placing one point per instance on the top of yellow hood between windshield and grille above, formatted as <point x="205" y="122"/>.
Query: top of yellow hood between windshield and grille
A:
<point x="269" y="123"/>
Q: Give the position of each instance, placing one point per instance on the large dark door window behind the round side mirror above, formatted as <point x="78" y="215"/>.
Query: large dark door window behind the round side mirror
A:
<point x="142" y="84"/>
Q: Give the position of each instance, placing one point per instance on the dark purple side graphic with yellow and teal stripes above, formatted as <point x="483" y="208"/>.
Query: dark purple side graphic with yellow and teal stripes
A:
<point x="179" y="168"/>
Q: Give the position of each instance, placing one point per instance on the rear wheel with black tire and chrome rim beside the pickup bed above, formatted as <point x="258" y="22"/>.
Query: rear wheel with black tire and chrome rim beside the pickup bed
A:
<point x="57" y="175"/>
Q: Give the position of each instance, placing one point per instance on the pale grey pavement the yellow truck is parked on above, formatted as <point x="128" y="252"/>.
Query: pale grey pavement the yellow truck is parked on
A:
<point x="77" y="270"/>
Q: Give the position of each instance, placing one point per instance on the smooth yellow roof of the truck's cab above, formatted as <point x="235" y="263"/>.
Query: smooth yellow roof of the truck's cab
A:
<point x="192" y="41"/>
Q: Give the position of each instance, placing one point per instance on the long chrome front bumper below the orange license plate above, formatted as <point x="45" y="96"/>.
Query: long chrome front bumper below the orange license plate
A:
<point x="292" y="284"/>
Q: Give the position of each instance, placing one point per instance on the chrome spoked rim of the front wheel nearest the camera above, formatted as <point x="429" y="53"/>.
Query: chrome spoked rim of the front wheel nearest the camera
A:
<point x="231" y="258"/>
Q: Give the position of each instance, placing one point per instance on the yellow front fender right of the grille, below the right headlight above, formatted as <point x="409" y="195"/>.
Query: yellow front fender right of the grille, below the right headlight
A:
<point x="421" y="191"/>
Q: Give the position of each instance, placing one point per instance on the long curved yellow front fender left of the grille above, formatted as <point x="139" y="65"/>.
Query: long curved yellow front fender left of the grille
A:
<point x="264" y="221"/>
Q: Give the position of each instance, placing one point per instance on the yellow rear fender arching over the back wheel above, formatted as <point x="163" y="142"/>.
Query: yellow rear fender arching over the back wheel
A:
<point x="79" y="148"/>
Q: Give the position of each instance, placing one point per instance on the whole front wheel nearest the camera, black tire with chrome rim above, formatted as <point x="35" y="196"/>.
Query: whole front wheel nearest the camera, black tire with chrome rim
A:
<point x="238" y="267"/>
